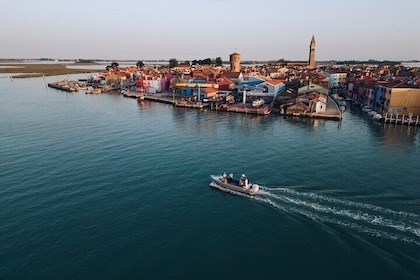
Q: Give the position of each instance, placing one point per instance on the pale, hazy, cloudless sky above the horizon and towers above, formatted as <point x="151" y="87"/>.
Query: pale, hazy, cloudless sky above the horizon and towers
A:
<point x="199" y="29"/>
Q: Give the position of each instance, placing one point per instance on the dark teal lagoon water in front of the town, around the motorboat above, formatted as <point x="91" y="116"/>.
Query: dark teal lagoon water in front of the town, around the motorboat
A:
<point x="101" y="187"/>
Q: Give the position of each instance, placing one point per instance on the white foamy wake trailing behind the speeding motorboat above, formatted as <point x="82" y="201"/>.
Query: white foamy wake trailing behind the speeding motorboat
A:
<point x="362" y="217"/>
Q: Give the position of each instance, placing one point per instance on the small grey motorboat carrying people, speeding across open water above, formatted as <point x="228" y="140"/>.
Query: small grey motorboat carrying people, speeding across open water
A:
<point x="228" y="182"/>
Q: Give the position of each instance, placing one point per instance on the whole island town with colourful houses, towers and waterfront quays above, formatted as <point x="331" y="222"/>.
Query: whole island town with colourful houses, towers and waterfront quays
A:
<point x="387" y="91"/>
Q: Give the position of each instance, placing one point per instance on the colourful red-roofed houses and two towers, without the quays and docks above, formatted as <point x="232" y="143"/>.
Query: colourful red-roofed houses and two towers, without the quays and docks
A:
<point x="298" y="88"/>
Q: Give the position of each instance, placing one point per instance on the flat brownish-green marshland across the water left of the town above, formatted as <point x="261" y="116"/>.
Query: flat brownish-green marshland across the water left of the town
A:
<point x="22" y="70"/>
